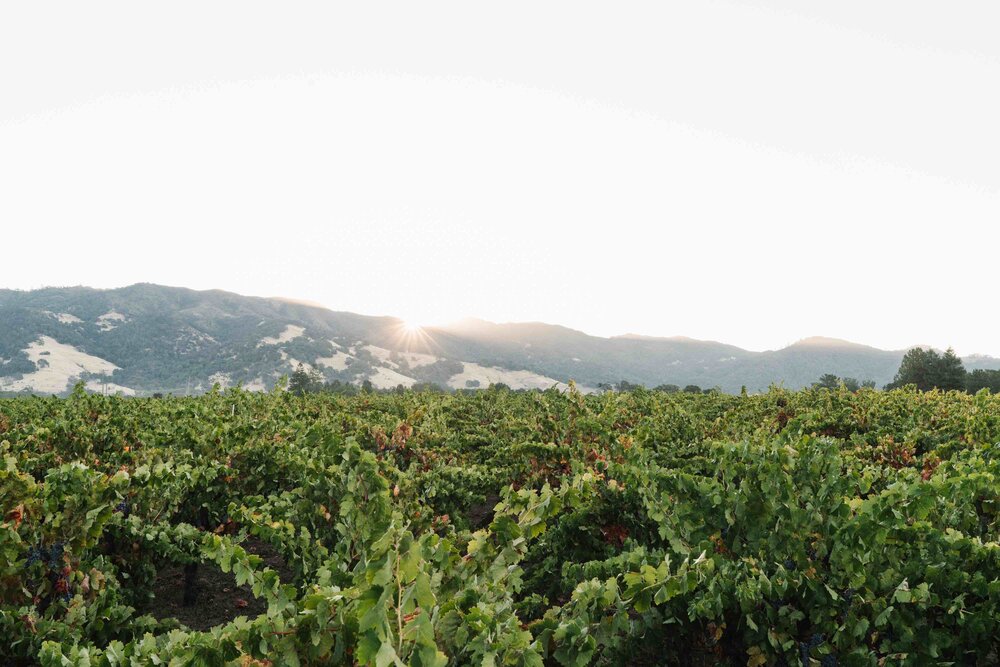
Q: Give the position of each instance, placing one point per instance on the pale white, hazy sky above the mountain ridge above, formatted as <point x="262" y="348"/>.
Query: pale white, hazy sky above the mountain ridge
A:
<point x="750" y="172"/>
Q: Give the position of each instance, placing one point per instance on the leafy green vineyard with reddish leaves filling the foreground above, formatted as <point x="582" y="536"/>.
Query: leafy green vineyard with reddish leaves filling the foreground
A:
<point x="821" y="527"/>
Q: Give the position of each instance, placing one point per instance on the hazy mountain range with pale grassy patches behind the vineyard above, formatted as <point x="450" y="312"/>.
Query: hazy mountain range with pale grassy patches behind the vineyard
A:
<point x="148" y="338"/>
